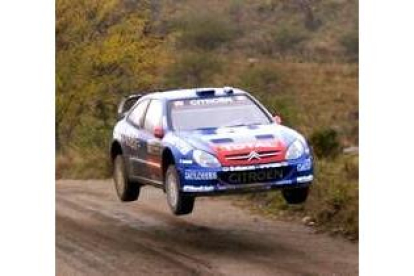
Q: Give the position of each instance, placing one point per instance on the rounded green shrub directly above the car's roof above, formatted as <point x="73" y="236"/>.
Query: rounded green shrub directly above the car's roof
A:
<point x="193" y="70"/>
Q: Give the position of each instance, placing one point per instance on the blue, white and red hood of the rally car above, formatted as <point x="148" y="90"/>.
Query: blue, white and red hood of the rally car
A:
<point x="243" y="145"/>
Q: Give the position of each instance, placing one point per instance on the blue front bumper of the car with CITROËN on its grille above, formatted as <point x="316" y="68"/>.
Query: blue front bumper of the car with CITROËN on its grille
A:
<point x="200" y="181"/>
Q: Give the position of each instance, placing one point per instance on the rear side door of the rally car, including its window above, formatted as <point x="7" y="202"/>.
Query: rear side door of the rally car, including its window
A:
<point x="132" y="137"/>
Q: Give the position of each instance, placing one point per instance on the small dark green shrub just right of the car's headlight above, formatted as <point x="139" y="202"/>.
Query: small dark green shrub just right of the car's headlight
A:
<point x="325" y="142"/>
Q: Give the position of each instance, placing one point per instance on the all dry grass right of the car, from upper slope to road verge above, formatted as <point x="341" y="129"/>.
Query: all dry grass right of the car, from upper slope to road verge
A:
<point x="319" y="96"/>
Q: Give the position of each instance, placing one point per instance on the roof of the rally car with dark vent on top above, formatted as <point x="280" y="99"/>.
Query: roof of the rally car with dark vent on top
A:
<point x="180" y="94"/>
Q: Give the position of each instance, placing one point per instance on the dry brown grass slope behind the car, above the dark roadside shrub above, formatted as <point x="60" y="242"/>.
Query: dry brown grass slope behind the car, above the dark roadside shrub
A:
<point x="322" y="95"/>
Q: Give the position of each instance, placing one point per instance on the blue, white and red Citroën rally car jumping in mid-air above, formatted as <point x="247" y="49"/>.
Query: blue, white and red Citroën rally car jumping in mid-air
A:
<point x="209" y="141"/>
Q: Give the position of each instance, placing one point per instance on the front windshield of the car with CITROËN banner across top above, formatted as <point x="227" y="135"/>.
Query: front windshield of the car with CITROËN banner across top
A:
<point x="216" y="112"/>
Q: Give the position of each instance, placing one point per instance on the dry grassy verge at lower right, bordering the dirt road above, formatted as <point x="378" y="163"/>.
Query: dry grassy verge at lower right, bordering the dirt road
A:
<point x="332" y="204"/>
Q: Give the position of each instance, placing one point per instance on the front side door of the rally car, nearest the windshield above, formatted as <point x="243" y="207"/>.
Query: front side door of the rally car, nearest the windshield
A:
<point x="151" y="151"/>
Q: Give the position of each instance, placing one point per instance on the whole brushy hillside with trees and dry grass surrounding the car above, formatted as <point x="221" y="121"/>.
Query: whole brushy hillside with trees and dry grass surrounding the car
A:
<point x="300" y="58"/>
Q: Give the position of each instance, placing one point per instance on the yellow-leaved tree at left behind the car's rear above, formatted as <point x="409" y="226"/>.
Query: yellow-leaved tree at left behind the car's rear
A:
<point x="102" y="53"/>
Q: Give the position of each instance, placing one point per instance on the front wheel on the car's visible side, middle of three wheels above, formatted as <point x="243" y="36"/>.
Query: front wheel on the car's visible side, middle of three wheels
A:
<point x="180" y="204"/>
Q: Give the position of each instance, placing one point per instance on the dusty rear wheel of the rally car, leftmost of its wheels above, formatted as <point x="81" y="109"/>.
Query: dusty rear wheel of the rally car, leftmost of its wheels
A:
<point x="125" y="189"/>
